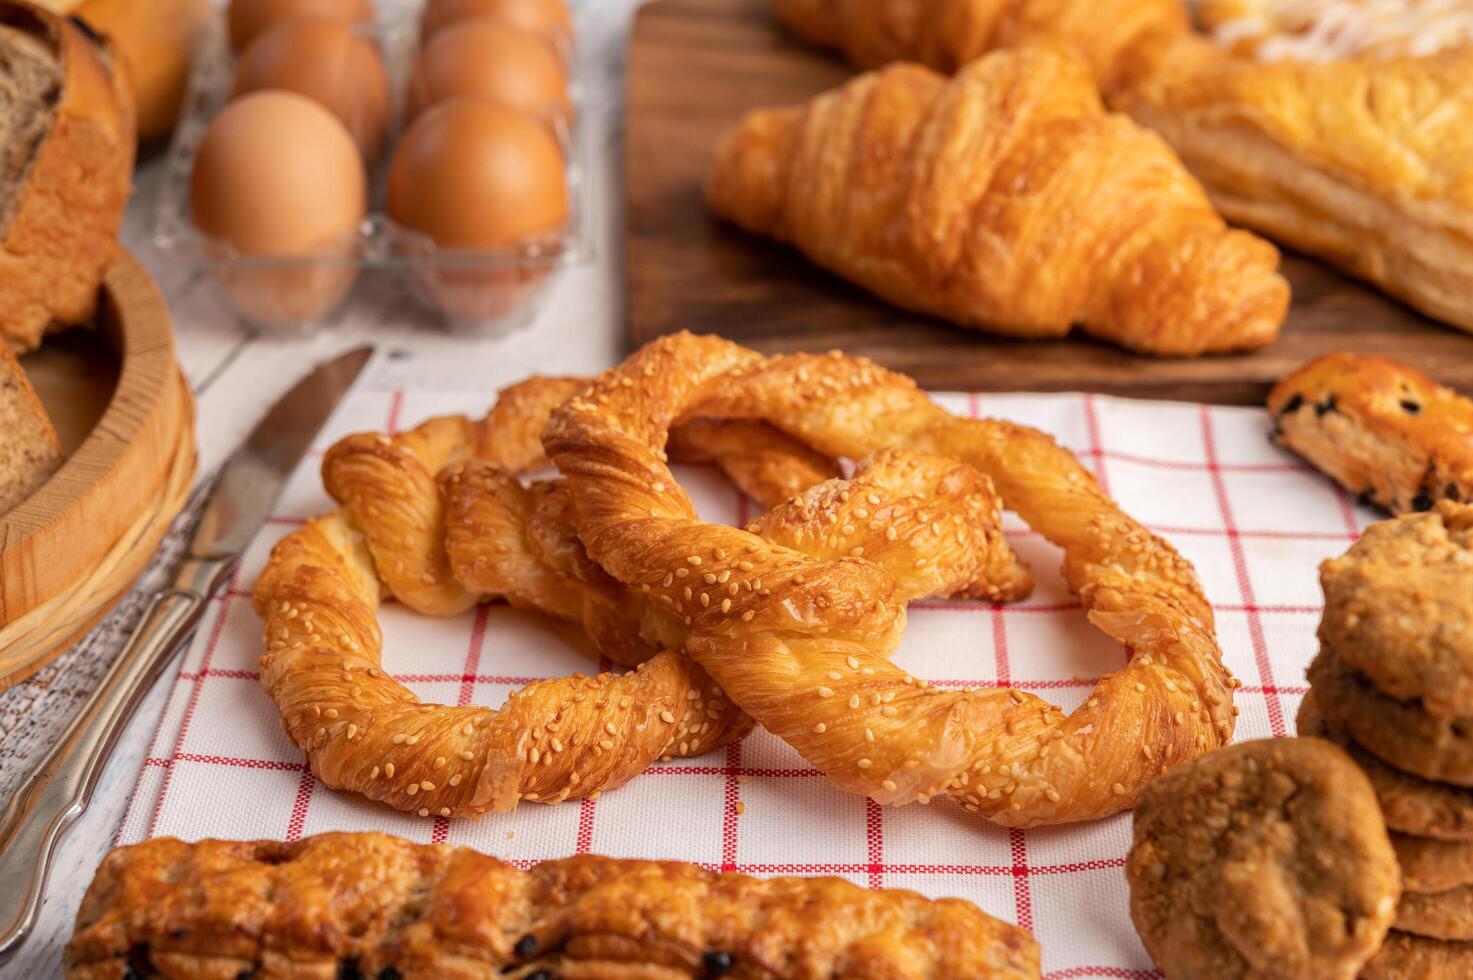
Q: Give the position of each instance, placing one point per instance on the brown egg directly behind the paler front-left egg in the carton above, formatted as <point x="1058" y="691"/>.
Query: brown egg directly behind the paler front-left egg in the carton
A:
<point x="329" y="63"/>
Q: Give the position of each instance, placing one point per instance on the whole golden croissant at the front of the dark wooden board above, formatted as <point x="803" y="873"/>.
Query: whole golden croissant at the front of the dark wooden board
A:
<point x="1004" y="200"/>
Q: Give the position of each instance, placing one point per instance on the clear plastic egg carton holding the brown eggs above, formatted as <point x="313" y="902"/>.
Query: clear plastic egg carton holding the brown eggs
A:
<point x="485" y="293"/>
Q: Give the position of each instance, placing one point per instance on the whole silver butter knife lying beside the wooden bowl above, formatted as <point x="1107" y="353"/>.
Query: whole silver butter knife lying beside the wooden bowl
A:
<point x="51" y="801"/>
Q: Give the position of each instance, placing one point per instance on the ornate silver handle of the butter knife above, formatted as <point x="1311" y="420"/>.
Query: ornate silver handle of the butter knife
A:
<point x="60" y="791"/>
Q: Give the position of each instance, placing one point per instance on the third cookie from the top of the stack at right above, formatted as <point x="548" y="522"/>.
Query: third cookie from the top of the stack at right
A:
<point x="1412" y="805"/>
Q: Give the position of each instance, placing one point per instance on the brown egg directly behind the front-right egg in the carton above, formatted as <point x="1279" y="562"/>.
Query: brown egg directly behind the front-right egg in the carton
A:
<point x="487" y="60"/>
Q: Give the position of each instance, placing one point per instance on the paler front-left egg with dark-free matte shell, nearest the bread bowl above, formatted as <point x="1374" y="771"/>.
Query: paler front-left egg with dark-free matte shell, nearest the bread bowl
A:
<point x="279" y="176"/>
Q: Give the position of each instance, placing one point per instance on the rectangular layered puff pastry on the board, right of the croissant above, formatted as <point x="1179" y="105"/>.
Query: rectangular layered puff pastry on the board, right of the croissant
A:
<point x="1366" y="164"/>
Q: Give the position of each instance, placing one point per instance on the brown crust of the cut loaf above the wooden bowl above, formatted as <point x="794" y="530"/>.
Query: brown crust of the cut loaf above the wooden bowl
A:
<point x="64" y="231"/>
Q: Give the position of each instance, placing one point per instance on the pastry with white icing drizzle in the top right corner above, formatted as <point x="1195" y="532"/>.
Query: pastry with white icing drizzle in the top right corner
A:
<point x="1329" y="30"/>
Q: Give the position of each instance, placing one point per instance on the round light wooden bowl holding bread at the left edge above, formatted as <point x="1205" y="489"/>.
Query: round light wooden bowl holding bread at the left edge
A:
<point x="127" y="421"/>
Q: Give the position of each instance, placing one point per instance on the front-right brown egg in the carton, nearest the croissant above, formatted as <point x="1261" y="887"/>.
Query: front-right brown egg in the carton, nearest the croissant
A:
<point x="475" y="175"/>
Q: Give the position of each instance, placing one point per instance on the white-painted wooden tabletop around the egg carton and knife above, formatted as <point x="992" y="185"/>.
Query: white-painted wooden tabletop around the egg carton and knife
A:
<point x="236" y="377"/>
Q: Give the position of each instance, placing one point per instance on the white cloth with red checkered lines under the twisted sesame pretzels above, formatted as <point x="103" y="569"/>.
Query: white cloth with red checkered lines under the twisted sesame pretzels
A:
<point x="1254" y="521"/>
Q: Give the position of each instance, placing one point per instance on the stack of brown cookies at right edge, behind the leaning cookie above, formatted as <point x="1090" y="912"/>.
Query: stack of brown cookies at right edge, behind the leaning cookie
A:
<point x="1394" y="686"/>
